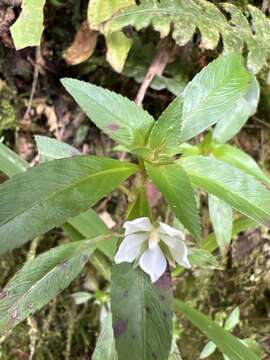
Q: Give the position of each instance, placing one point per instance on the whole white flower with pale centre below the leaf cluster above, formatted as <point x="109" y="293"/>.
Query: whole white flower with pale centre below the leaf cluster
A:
<point x="141" y="242"/>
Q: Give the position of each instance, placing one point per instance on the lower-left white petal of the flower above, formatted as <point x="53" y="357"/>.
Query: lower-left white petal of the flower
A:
<point x="130" y="248"/>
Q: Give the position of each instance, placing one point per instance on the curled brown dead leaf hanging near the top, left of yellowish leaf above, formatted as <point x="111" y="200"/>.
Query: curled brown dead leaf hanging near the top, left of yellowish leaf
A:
<point x="83" y="45"/>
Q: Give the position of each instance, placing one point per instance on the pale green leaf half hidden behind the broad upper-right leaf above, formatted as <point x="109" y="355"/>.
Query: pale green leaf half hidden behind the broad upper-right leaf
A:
<point x="233" y="122"/>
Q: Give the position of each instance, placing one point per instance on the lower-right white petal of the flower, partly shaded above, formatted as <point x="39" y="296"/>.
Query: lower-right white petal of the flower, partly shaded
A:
<point x="178" y="249"/>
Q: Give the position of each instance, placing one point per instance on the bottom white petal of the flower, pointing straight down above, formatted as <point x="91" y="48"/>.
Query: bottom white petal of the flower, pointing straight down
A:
<point x="154" y="263"/>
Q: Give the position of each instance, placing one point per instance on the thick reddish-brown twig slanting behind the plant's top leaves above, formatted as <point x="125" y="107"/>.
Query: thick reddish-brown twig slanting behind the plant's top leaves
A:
<point x="166" y="50"/>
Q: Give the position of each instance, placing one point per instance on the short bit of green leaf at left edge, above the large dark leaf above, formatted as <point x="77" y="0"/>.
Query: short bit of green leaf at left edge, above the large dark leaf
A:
<point x="10" y="163"/>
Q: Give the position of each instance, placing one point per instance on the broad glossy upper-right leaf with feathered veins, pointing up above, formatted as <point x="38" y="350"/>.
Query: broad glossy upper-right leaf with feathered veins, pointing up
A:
<point x="213" y="93"/>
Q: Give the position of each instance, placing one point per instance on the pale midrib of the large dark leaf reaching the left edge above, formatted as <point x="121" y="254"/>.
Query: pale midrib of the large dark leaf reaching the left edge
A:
<point x="63" y="189"/>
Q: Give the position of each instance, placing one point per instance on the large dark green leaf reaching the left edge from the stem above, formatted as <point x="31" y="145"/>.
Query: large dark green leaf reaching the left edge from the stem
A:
<point x="47" y="195"/>
